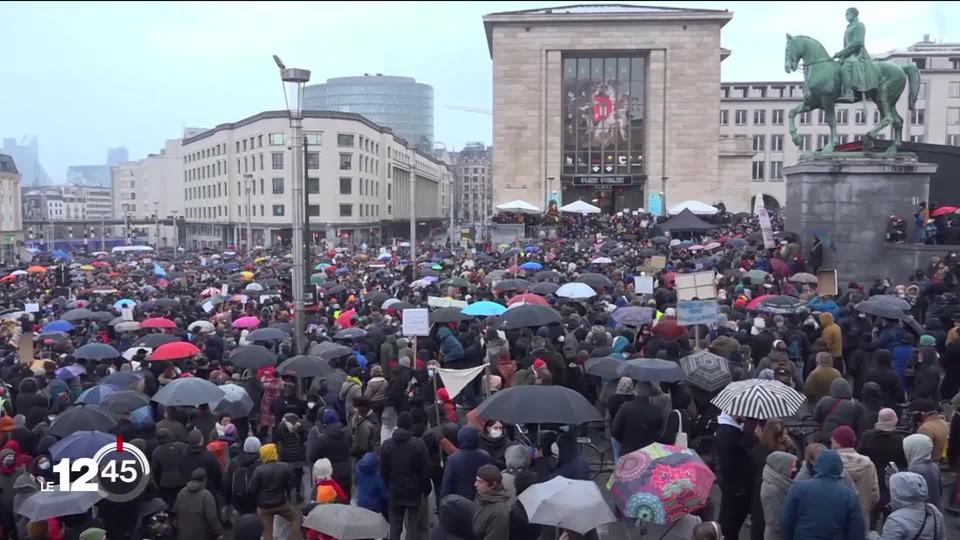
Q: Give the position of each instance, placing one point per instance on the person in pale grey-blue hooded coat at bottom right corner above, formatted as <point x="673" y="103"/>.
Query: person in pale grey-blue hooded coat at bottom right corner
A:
<point x="912" y="517"/>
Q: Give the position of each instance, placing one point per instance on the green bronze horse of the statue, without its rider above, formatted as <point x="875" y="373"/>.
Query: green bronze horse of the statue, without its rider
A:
<point x="822" y="86"/>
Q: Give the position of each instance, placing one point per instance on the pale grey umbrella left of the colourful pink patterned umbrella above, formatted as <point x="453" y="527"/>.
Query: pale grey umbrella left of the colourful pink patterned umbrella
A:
<point x="576" y="505"/>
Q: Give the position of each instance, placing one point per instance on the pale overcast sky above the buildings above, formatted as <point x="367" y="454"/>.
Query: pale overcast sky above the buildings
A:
<point x="88" y="76"/>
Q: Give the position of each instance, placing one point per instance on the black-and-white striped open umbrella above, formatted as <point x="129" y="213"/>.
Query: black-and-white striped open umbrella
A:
<point x="760" y="399"/>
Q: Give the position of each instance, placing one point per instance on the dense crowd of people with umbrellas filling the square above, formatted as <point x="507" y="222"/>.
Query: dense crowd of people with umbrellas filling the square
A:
<point x="380" y="431"/>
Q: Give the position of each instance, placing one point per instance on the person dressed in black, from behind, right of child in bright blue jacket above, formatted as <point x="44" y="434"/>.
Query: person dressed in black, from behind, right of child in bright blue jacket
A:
<point x="405" y="469"/>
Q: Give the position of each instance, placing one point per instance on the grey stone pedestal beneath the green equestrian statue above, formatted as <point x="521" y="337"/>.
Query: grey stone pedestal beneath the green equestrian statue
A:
<point x="851" y="198"/>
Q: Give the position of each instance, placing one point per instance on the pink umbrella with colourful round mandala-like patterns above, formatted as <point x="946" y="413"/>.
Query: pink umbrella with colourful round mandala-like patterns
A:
<point x="660" y="483"/>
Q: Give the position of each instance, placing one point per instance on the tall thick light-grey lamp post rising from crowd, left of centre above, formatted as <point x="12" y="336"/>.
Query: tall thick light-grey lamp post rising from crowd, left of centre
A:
<point x="293" y="81"/>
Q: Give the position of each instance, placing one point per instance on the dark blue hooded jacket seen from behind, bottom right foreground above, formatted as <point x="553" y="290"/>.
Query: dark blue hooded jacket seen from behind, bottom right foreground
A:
<point x="822" y="508"/>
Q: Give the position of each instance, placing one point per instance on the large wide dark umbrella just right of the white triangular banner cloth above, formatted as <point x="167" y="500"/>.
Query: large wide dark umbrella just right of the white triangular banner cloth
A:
<point x="538" y="405"/>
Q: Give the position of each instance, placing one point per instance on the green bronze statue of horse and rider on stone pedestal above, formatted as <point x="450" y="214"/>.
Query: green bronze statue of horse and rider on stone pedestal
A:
<point x="850" y="76"/>
